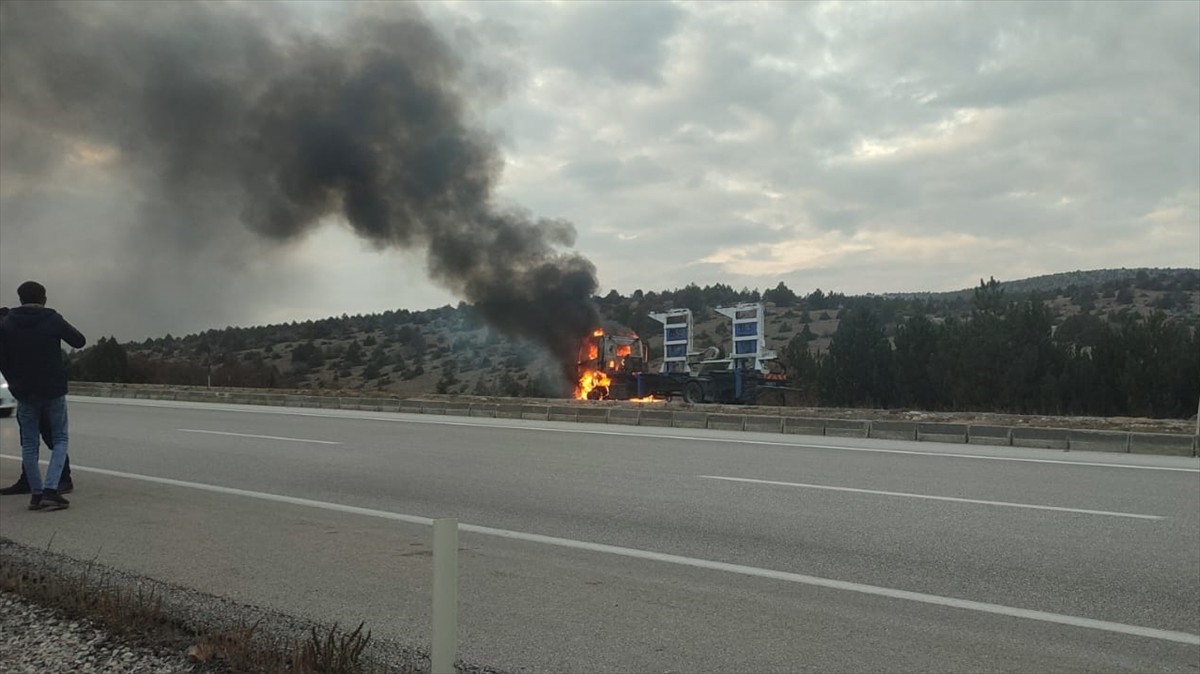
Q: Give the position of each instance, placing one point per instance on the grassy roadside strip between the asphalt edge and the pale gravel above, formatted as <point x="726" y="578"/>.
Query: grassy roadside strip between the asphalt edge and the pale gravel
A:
<point x="140" y="613"/>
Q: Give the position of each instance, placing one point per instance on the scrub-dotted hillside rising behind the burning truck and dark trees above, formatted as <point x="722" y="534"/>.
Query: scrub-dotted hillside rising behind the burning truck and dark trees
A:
<point x="451" y="351"/>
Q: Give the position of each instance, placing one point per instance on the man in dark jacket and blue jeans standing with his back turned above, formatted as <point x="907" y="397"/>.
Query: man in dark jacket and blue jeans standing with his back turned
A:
<point x="32" y="362"/>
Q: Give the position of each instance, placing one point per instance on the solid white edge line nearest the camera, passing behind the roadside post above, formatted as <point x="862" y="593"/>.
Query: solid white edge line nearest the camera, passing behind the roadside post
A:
<point x="635" y="553"/>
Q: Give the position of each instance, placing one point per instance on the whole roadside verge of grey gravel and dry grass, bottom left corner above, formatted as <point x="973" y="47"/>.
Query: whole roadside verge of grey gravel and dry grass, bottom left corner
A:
<point x="39" y="637"/>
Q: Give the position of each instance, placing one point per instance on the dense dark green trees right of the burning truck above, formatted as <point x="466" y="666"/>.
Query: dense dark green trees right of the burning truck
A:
<point x="1005" y="357"/>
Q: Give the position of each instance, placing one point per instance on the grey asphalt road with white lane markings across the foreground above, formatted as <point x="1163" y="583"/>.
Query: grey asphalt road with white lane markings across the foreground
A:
<point x="602" y="549"/>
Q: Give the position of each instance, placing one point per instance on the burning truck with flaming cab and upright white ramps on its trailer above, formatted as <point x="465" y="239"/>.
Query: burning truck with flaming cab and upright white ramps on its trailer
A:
<point x="615" y="364"/>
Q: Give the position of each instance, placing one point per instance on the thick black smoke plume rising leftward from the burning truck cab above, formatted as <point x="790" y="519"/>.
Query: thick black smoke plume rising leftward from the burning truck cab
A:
<point x="242" y="112"/>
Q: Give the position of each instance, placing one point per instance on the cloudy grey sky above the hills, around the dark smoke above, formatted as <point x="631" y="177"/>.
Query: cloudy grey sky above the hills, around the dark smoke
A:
<point x="850" y="147"/>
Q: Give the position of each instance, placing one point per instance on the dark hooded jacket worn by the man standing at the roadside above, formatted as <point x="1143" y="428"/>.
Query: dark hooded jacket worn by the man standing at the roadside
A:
<point x="32" y="352"/>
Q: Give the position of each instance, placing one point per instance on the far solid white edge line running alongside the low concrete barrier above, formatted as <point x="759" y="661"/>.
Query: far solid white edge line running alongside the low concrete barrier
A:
<point x="399" y="418"/>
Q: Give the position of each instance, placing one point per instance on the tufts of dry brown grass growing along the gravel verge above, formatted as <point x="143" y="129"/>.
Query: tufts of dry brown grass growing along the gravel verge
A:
<point x="139" y="617"/>
